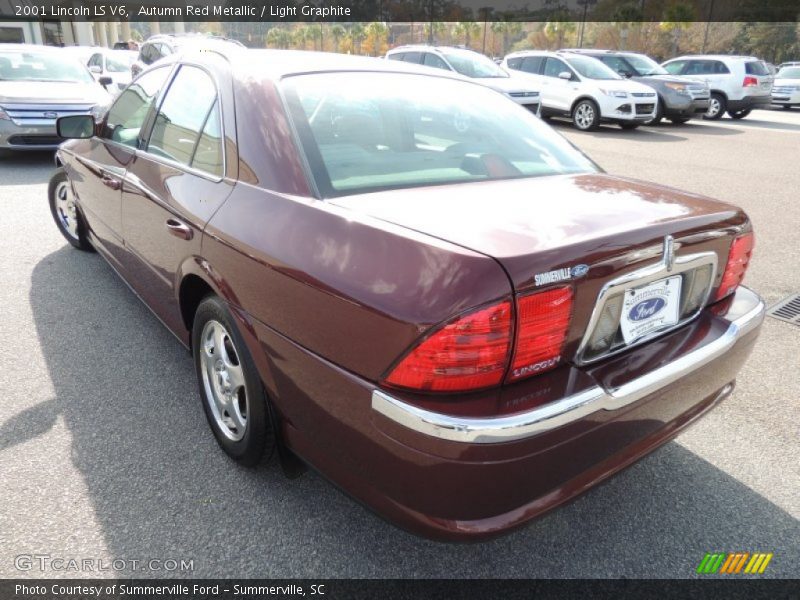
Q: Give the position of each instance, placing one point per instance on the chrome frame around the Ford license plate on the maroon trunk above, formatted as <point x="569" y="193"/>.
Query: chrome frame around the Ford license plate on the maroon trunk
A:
<point x="669" y="265"/>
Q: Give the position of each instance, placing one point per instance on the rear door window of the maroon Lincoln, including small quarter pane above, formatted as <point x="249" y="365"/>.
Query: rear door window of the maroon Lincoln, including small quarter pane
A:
<point x="189" y="109"/>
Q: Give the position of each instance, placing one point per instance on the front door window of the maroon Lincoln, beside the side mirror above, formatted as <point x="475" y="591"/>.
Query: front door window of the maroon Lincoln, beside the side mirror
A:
<point x="128" y="113"/>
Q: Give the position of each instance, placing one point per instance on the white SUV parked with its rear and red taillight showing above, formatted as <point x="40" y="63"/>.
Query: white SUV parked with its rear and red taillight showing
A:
<point x="738" y="83"/>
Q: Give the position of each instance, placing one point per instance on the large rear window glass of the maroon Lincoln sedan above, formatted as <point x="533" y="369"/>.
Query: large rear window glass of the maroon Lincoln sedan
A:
<point x="371" y="132"/>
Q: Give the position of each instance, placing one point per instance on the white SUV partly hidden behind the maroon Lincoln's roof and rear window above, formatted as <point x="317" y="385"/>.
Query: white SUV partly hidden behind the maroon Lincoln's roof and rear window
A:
<point x="469" y="64"/>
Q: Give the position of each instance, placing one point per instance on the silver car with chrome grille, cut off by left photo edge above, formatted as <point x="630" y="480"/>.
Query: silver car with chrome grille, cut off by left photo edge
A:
<point x="37" y="86"/>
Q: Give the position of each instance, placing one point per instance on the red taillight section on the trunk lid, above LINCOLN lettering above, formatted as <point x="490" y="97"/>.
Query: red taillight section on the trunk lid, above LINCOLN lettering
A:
<point x="542" y="322"/>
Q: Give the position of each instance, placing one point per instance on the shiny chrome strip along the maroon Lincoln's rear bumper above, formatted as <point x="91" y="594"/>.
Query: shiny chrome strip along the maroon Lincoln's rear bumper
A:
<point x="751" y="311"/>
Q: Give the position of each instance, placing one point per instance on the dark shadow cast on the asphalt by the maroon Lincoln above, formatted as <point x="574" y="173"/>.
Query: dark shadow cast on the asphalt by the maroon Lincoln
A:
<point x="161" y="488"/>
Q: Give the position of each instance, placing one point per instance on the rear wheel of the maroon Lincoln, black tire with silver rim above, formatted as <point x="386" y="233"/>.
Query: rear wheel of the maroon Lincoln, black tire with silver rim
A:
<point x="231" y="391"/>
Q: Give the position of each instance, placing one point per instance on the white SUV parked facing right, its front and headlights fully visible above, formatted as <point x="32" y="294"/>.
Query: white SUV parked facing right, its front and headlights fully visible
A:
<point x="584" y="89"/>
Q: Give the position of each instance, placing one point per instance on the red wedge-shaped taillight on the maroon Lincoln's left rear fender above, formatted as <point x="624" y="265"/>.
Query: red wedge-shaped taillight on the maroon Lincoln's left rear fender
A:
<point x="468" y="353"/>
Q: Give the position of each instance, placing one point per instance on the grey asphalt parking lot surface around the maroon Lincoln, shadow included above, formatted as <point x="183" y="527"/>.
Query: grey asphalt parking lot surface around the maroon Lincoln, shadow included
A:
<point x="105" y="452"/>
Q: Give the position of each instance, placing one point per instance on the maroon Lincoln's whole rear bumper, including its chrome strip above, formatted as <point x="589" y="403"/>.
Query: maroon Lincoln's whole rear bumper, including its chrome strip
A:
<point x="451" y="470"/>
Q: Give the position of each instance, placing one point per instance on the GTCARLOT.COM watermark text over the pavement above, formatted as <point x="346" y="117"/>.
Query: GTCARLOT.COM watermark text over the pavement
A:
<point x="47" y="562"/>
